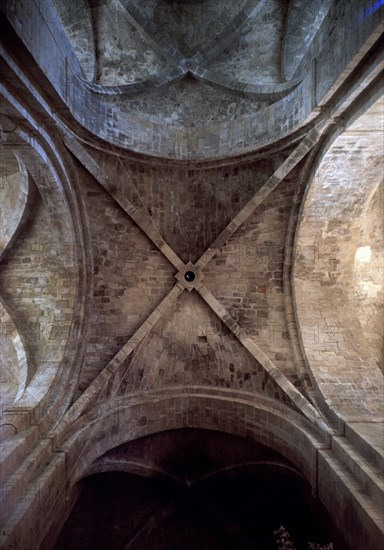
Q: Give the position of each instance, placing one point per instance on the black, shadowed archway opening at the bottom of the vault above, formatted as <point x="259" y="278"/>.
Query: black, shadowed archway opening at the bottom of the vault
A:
<point x="193" y="489"/>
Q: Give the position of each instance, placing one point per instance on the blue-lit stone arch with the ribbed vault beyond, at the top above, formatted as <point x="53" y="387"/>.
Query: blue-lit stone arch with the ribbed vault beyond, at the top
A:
<point x="190" y="79"/>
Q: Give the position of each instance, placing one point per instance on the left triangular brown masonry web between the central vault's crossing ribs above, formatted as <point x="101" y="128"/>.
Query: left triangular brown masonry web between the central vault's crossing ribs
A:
<point x="131" y="277"/>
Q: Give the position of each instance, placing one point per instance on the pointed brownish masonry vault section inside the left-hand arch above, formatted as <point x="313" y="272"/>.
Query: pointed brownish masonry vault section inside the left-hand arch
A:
<point x="36" y="289"/>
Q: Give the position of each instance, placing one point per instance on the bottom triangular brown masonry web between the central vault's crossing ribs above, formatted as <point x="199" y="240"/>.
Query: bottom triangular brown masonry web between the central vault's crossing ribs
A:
<point x="190" y="346"/>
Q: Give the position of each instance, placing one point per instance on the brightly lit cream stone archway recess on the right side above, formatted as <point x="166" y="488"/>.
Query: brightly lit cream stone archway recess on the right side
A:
<point x="338" y="272"/>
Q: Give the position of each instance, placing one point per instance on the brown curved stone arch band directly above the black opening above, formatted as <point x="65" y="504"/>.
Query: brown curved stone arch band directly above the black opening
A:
<point x="122" y="420"/>
